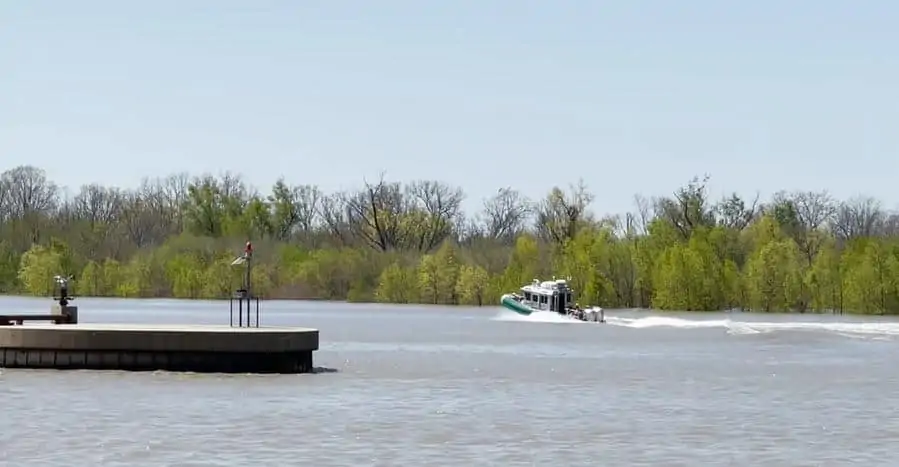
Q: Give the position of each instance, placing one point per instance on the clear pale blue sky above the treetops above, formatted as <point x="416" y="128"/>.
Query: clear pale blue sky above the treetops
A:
<point x="633" y="97"/>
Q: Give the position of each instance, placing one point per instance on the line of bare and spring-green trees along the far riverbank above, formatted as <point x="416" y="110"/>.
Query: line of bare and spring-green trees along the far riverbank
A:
<point x="411" y="243"/>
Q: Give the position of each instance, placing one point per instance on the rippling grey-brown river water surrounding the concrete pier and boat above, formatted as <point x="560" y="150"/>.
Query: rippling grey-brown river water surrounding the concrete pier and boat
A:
<point x="442" y="386"/>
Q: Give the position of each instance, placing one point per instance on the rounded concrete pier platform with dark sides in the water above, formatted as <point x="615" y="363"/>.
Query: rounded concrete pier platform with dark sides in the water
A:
<point x="220" y="349"/>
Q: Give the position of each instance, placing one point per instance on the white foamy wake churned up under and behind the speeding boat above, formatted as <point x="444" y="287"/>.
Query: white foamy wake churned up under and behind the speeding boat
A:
<point x="863" y="330"/>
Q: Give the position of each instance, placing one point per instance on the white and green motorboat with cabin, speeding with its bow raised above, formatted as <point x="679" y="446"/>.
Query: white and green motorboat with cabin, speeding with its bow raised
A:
<point x="553" y="296"/>
